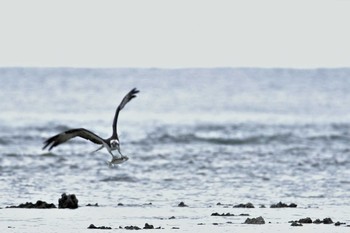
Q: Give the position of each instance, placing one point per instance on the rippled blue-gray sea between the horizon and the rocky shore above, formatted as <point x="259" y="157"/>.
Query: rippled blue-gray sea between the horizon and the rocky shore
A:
<point x="200" y="136"/>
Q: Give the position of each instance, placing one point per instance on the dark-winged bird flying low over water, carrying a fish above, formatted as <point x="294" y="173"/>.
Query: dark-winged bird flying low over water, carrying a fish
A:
<point x="112" y="143"/>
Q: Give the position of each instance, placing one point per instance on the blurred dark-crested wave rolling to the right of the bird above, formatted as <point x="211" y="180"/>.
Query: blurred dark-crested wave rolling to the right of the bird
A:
<point x="248" y="135"/>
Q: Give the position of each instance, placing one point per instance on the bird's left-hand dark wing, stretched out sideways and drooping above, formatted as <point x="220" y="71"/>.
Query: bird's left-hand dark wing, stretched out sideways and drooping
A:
<point x="69" y="134"/>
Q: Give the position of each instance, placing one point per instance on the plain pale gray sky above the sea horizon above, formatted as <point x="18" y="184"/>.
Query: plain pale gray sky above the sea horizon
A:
<point x="175" y="34"/>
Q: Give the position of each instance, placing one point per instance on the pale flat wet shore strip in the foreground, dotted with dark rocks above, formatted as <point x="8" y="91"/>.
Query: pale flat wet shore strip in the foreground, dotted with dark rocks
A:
<point x="210" y="218"/>
